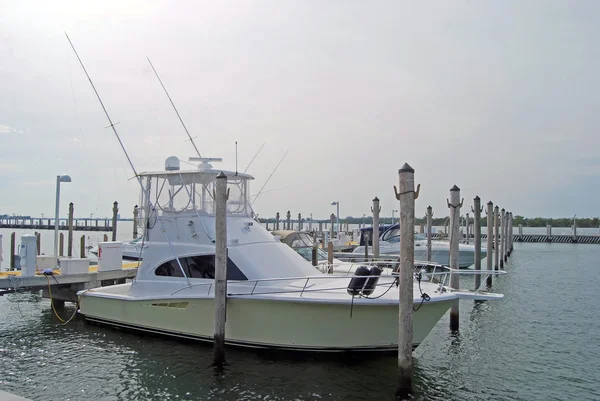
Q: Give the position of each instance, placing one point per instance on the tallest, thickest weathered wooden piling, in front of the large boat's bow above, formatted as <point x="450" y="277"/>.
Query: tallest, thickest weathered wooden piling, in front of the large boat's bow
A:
<point x="406" y="196"/>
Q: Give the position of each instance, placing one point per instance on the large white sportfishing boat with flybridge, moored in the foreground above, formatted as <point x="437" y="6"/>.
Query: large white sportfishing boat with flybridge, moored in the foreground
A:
<point x="276" y="299"/>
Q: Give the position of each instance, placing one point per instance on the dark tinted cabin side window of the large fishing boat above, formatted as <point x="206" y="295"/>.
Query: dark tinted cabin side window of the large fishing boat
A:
<point x="202" y="266"/>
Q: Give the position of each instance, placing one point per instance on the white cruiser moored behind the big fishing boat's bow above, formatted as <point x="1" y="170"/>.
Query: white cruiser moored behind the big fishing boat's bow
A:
<point x="389" y="244"/>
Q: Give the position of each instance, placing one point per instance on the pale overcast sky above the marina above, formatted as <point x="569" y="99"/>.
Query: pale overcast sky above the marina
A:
<point x="501" y="98"/>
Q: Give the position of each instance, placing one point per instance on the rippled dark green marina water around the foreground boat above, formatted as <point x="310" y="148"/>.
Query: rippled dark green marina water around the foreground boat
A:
<point x="542" y="342"/>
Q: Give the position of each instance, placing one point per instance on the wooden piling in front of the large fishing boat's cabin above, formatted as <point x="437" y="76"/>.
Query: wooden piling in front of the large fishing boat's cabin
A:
<point x="220" y="268"/>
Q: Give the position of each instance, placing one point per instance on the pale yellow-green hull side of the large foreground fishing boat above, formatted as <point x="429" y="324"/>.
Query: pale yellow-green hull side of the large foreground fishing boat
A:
<point x="301" y="326"/>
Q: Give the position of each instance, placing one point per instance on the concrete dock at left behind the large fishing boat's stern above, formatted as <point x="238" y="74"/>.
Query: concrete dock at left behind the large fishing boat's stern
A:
<point x="64" y="287"/>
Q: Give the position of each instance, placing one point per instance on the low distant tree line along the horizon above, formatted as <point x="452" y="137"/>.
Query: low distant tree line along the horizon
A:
<point x="584" y="222"/>
